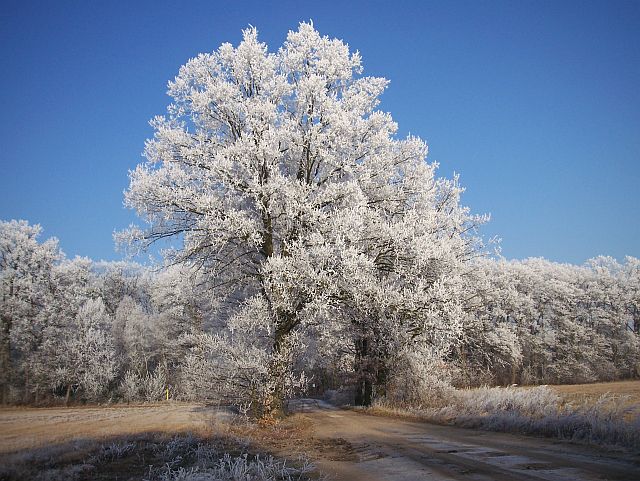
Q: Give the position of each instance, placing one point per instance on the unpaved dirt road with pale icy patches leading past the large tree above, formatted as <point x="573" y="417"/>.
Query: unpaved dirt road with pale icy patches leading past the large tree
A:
<point x="394" y="450"/>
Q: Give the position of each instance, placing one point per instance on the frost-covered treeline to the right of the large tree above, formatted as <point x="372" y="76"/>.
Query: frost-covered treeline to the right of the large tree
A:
<point x="541" y="322"/>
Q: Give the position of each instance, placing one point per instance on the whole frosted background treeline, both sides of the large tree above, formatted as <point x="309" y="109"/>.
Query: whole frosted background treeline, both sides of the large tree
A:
<point x="75" y="329"/>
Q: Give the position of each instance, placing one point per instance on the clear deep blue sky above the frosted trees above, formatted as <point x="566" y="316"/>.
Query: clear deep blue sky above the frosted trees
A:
<point x="535" y="104"/>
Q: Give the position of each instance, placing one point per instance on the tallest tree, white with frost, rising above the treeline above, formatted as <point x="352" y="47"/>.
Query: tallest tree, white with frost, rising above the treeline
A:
<point x="290" y="193"/>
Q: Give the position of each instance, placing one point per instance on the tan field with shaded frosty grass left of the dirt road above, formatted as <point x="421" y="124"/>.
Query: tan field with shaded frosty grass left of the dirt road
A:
<point x="159" y="442"/>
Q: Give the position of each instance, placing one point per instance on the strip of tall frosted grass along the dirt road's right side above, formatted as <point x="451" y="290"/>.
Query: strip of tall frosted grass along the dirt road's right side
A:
<point x="610" y="420"/>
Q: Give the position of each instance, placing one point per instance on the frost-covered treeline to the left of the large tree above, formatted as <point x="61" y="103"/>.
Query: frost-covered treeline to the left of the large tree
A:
<point x="93" y="331"/>
